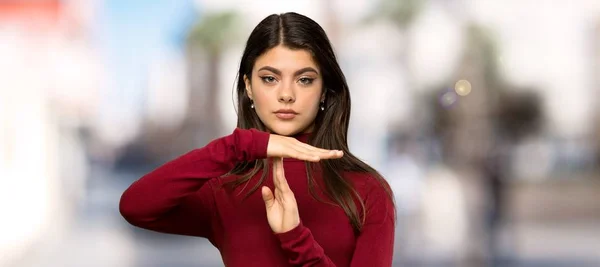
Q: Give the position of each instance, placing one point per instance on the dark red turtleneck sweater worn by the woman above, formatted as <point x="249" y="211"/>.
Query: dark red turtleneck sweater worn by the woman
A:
<point x="184" y="197"/>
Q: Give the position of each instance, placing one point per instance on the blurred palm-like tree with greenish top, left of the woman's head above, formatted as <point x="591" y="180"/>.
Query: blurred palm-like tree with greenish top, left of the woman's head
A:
<point x="205" y="44"/>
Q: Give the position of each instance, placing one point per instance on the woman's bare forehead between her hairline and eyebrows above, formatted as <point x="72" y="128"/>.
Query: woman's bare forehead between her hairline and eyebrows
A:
<point x="285" y="59"/>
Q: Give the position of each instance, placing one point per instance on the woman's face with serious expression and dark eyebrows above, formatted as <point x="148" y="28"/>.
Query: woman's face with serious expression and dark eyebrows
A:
<point x="286" y="88"/>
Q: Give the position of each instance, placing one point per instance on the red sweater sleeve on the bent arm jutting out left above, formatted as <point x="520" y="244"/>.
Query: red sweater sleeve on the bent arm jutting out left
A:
<point x="176" y="198"/>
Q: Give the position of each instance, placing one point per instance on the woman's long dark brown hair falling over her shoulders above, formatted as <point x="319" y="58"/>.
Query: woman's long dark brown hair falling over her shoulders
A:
<point x="296" y="31"/>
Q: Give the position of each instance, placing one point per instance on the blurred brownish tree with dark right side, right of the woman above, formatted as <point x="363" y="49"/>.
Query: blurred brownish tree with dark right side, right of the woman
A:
<point x="469" y="124"/>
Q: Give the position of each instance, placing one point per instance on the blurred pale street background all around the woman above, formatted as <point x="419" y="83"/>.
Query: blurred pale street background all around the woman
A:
<point x="481" y="114"/>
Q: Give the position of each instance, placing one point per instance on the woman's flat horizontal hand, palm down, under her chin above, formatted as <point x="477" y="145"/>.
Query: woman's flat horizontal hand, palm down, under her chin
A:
<point x="288" y="147"/>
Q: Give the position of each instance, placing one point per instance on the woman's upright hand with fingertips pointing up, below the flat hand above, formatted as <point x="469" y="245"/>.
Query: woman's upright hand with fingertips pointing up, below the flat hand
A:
<point x="282" y="210"/>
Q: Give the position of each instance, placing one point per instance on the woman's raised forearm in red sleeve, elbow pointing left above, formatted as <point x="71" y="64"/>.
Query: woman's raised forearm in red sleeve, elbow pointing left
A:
<point x="160" y="191"/>
